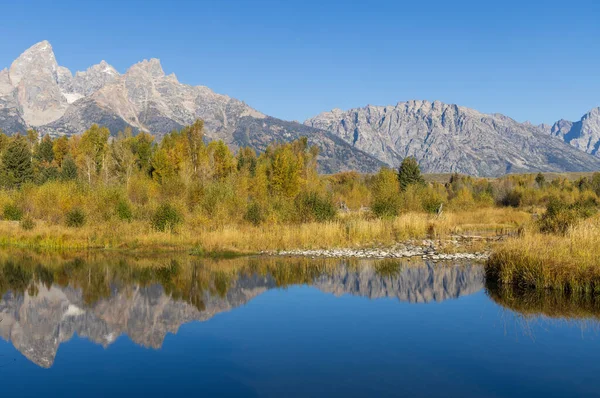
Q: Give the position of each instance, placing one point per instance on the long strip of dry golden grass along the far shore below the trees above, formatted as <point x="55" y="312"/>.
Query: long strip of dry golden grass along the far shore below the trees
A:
<point x="346" y="231"/>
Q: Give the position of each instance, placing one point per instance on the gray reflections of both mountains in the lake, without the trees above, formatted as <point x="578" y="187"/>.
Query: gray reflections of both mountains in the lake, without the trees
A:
<point x="37" y="325"/>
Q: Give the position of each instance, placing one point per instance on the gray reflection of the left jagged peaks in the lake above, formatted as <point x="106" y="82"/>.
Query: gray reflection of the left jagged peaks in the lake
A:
<point x="38" y="325"/>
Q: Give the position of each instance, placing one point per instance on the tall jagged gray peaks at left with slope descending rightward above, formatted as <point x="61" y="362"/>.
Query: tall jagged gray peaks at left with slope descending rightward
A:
<point x="35" y="92"/>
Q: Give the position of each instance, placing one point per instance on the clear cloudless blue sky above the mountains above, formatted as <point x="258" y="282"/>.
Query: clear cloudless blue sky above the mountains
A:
<point x="531" y="60"/>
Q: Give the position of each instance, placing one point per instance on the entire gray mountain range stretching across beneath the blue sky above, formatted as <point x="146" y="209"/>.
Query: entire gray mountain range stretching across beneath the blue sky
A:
<point x="35" y="92"/>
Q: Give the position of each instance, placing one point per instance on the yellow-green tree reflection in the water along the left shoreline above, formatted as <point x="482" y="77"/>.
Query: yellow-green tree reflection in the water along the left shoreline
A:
<point x="183" y="277"/>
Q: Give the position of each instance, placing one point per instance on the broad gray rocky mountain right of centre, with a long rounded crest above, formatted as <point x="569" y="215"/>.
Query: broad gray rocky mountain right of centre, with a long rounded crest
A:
<point x="449" y="138"/>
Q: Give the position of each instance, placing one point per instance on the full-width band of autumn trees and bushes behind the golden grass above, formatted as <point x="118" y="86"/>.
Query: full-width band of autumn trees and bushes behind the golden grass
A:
<point x="183" y="179"/>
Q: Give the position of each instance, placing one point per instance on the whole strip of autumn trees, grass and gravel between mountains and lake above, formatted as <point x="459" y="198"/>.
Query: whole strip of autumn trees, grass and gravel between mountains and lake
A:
<point x="131" y="192"/>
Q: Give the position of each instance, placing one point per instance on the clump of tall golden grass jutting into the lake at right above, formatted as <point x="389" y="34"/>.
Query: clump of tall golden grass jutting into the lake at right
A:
<point x="570" y="262"/>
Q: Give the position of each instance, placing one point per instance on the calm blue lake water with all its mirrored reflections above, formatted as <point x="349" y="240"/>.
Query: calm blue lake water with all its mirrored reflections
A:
<point x="94" y="326"/>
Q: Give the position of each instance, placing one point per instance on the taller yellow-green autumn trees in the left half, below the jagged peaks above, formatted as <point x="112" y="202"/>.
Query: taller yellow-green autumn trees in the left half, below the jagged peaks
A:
<point x="182" y="173"/>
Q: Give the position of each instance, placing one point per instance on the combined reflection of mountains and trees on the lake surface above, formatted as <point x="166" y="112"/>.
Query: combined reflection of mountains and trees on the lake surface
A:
<point x="42" y="307"/>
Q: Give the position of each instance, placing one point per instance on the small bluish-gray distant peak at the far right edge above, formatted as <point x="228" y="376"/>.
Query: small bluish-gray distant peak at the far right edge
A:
<point x="583" y="135"/>
